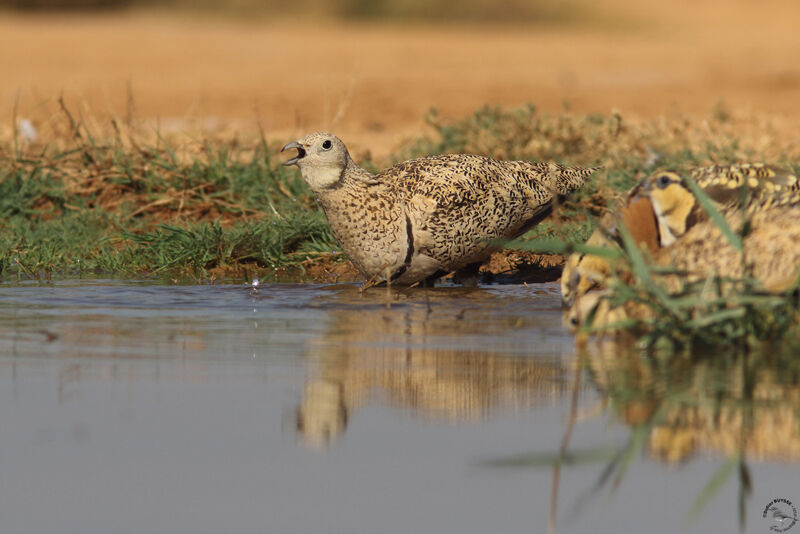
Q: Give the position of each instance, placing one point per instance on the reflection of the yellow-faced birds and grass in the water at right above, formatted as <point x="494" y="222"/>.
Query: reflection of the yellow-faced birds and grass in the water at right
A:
<point x="720" y="403"/>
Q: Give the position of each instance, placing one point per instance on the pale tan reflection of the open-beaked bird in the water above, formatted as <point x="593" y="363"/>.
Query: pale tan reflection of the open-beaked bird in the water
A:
<point x="451" y="354"/>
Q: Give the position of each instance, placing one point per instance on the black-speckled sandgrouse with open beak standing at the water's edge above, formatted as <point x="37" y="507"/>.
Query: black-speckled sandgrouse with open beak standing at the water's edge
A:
<point x="423" y="218"/>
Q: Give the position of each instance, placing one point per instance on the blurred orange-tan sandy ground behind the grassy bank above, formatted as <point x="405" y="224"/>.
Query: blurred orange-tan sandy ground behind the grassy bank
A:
<point x="373" y="83"/>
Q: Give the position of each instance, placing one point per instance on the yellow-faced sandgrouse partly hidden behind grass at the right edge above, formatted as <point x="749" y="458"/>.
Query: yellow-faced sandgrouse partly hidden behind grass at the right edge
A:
<point x="759" y="202"/>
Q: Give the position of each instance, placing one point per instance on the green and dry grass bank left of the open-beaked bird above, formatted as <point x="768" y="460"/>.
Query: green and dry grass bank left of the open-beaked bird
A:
<point x="115" y="206"/>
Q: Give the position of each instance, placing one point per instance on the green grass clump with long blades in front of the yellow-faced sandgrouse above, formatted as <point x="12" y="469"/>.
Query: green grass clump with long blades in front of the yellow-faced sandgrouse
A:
<point x="674" y="311"/>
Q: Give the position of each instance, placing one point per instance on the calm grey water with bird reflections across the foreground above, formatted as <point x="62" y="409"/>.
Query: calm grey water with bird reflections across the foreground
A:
<point x="132" y="407"/>
